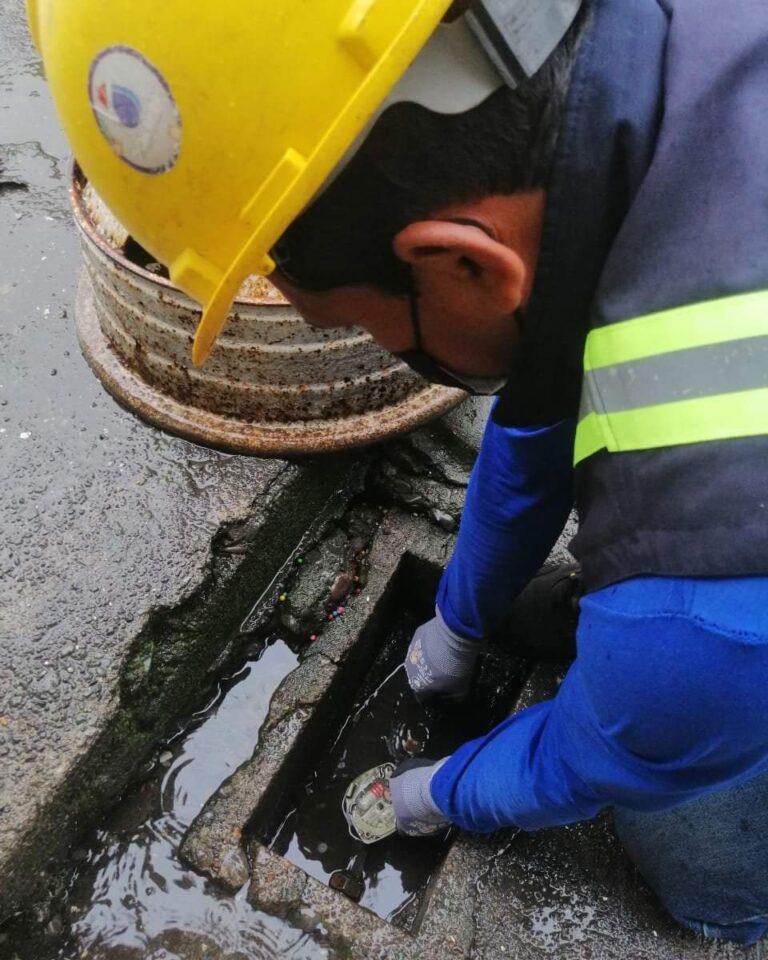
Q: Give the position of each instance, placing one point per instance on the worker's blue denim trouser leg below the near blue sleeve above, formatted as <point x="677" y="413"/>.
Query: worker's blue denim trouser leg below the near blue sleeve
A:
<point x="707" y="859"/>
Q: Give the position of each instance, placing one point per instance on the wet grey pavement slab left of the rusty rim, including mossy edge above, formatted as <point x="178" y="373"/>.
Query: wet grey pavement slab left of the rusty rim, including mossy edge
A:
<point x="113" y="533"/>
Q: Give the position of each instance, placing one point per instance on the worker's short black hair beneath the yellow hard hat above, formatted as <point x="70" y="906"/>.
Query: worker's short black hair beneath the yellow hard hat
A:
<point x="415" y="161"/>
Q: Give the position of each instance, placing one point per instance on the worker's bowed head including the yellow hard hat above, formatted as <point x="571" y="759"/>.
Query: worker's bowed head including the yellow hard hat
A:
<point x="415" y="136"/>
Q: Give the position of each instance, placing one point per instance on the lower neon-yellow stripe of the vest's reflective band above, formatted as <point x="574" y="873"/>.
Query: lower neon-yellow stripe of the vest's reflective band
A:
<point x="722" y="417"/>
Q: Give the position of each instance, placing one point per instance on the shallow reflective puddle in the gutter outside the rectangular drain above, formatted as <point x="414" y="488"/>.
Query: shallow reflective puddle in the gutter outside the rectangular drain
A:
<point x="131" y="898"/>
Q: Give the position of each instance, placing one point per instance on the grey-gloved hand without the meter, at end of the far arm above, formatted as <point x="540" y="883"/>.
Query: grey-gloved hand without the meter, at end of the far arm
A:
<point x="440" y="662"/>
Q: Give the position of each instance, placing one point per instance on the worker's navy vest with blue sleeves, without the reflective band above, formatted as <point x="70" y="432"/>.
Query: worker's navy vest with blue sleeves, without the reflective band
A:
<point x="659" y="198"/>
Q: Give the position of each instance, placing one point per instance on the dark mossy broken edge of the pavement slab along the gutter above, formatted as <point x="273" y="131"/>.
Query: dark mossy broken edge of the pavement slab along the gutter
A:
<point x="193" y="638"/>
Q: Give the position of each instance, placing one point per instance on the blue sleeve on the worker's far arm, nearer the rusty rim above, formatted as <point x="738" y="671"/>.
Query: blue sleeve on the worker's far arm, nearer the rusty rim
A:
<point x="518" y="501"/>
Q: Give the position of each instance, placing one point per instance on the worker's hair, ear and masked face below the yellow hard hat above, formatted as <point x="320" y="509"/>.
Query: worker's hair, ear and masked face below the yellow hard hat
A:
<point x="429" y="237"/>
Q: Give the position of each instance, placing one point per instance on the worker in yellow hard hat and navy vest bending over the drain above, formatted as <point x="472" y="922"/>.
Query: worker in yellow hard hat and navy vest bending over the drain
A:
<point x="561" y="203"/>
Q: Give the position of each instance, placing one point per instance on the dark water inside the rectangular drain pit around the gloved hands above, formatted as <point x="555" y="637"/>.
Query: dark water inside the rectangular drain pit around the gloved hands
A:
<point x="386" y="723"/>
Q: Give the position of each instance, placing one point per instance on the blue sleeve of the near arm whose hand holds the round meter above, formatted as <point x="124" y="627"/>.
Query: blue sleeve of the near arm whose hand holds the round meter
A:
<point x="666" y="701"/>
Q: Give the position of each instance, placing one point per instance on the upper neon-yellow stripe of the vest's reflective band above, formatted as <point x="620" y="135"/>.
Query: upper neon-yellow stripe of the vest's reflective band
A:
<point x="697" y="325"/>
